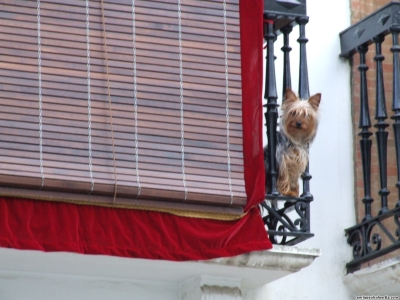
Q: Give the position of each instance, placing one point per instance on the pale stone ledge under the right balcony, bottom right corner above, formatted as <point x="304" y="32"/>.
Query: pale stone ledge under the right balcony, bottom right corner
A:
<point x="380" y="279"/>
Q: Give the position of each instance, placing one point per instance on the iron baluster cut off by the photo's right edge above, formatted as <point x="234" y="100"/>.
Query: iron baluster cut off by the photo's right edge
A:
<point x="395" y="30"/>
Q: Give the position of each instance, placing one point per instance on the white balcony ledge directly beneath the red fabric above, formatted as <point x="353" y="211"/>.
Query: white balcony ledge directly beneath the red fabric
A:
<point x="249" y="270"/>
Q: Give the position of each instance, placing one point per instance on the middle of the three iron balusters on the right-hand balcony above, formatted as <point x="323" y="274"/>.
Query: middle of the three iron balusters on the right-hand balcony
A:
<point x="380" y="116"/>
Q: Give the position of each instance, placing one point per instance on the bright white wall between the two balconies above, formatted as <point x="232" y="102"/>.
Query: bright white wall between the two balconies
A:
<point x="331" y="158"/>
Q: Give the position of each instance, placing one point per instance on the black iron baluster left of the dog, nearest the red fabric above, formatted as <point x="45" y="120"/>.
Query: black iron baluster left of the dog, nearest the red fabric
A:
<point x="271" y="115"/>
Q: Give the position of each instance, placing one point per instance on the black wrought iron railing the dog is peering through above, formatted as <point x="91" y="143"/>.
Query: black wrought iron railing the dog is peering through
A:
<point x="287" y="218"/>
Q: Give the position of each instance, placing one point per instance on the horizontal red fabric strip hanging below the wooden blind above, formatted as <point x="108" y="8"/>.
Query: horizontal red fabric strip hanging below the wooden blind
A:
<point x="57" y="226"/>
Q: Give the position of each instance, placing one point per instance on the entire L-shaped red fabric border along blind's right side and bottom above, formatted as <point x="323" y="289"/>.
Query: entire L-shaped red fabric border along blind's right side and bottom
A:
<point x="56" y="226"/>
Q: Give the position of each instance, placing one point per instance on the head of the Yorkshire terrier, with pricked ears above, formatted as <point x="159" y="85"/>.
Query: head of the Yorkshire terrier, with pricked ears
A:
<point x="299" y="120"/>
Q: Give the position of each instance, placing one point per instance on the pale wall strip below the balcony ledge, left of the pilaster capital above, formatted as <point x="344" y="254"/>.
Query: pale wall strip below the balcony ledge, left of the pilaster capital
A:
<point x="48" y="286"/>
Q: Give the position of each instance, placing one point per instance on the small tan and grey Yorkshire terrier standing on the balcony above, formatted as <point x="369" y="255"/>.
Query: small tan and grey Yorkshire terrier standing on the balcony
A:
<point x="298" y="126"/>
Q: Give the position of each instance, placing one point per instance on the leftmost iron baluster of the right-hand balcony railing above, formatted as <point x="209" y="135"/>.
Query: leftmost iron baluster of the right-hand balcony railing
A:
<point x="364" y="124"/>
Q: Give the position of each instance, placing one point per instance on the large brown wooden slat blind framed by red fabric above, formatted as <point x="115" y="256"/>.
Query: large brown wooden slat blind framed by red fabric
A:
<point x="175" y="86"/>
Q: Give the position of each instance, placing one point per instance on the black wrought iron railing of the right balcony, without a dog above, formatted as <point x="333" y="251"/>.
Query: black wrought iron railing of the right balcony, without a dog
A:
<point x="379" y="234"/>
